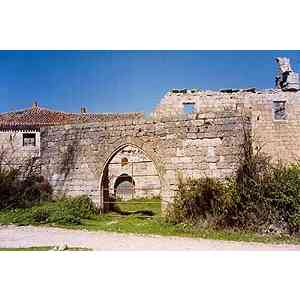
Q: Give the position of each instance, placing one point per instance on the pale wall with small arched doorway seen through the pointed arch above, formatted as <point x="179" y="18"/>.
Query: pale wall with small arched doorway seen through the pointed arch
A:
<point x="135" y="180"/>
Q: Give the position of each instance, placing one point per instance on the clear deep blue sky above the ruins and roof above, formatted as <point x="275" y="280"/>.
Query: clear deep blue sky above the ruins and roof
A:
<point x="122" y="81"/>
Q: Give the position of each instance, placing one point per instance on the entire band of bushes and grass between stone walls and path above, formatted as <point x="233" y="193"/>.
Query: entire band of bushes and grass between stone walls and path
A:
<point x="263" y="197"/>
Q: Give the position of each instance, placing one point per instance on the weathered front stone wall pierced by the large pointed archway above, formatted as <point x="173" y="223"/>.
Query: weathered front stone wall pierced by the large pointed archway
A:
<point x="75" y="157"/>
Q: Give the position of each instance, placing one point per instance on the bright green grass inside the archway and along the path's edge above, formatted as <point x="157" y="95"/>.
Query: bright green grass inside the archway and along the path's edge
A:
<point x="145" y="218"/>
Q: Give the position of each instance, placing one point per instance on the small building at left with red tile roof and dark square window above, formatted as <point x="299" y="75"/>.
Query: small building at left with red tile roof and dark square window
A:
<point x="20" y="130"/>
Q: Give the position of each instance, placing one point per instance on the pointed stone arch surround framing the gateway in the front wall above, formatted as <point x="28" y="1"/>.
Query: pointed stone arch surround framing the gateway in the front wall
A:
<point x="117" y="146"/>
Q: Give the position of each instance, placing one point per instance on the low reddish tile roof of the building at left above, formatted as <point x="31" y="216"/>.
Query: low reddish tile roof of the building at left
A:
<point x="36" y="117"/>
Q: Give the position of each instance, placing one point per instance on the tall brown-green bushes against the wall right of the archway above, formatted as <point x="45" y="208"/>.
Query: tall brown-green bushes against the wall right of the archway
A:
<point x="262" y="197"/>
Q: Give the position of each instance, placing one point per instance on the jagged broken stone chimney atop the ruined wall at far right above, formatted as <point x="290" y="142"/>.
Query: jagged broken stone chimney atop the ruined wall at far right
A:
<point x="286" y="79"/>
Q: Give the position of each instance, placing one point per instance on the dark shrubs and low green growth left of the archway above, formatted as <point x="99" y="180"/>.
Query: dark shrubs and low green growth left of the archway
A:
<point x="26" y="197"/>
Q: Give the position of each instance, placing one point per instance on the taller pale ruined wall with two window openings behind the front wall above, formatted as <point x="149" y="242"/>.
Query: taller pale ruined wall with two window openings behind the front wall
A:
<point x="278" y="136"/>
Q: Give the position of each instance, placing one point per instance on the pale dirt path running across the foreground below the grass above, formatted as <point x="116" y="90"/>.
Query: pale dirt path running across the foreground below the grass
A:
<point x="27" y="236"/>
